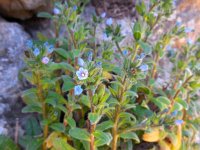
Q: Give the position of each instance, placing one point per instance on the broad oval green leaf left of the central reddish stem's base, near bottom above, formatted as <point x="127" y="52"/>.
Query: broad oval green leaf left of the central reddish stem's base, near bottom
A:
<point x="79" y="134"/>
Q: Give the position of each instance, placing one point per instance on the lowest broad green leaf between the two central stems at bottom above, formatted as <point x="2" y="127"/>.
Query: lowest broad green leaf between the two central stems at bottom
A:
<point x="102" y="138"/>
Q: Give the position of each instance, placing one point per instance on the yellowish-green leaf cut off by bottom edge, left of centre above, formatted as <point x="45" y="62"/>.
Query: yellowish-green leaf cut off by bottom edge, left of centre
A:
<point x="61" y="144"/>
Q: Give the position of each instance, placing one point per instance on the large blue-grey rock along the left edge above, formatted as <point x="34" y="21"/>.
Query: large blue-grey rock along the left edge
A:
<point x="12" y="45"/>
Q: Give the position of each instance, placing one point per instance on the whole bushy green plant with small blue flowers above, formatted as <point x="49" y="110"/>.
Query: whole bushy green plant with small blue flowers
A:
<point x="87" y="96"/>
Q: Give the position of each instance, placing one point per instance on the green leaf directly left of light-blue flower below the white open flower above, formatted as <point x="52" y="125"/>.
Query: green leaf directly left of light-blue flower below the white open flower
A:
<point x="68" y="83"/>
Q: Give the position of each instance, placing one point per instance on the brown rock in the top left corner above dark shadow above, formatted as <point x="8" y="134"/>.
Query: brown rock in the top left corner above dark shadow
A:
<point x="22" y="9"/>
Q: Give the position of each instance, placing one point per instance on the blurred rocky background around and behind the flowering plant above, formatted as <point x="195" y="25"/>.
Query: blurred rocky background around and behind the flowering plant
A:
<point x="18" y="23"/>
